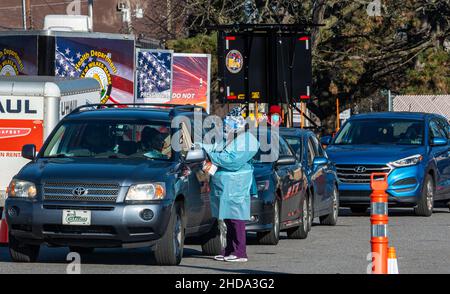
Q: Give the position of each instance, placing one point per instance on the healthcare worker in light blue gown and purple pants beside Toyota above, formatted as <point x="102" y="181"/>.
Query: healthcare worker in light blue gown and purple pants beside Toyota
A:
<point x="233" y="183"/>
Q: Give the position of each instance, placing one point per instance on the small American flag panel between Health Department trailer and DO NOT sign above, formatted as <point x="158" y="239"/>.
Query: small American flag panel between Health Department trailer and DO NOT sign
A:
<point x="154" y="75"/>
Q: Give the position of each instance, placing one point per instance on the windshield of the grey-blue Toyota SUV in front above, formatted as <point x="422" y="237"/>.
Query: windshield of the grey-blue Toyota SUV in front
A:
<point x="110" y="139"/>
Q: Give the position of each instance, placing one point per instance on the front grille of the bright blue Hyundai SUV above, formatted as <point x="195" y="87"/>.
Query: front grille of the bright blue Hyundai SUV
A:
<point x="359" y="174"/>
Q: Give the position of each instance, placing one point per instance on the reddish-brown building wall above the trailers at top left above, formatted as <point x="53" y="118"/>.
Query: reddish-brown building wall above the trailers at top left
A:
<point x="107" y="18"/>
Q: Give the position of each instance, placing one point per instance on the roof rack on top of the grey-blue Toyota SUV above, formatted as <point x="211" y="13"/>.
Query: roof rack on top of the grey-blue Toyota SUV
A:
<point x="174" y="107"/>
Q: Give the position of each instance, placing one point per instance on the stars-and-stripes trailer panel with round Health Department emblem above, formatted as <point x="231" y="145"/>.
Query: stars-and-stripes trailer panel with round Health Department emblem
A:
<point x="109" y="61"/>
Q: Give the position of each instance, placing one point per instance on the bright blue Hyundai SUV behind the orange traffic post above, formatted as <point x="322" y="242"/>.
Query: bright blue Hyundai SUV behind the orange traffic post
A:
<point x="412" y="148"/>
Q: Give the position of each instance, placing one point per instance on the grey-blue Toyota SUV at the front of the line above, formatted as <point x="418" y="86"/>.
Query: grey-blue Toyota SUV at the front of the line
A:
<point x="109" y="177"/>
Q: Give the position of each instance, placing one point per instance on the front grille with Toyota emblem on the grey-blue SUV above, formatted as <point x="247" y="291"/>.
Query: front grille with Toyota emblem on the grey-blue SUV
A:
<point x="59" y="191"/>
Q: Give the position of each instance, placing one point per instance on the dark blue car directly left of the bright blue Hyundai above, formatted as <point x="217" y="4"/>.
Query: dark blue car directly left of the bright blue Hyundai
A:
<point x="323" y="193"/>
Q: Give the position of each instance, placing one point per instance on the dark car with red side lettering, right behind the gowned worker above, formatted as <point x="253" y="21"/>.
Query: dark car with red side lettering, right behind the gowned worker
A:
<point x="280" y="205"/>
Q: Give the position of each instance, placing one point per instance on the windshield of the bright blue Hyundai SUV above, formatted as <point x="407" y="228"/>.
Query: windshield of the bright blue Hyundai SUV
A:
<point x="381" y="131"/>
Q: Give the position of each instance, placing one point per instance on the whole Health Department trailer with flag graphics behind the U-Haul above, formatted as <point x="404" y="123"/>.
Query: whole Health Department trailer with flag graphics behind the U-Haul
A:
<point x="108" y="58"/>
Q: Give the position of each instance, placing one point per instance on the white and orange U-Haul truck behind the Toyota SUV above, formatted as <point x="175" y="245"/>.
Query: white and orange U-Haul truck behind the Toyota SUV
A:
<point x="30" y="107"/>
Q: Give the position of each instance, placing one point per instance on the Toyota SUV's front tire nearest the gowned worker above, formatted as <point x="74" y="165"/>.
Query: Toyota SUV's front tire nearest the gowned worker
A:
<point x="169" y="249"/>
